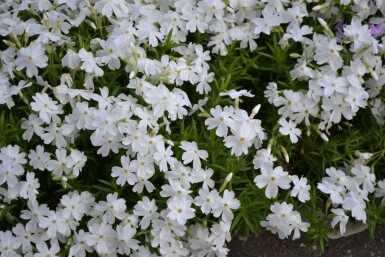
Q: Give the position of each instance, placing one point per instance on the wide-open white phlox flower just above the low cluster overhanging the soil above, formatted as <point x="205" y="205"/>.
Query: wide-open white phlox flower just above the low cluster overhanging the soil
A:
<point x="272" y="179"/>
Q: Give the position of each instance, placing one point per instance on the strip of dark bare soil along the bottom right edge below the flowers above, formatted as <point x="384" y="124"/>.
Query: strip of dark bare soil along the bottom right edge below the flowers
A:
<point x="269" y="245"/>
